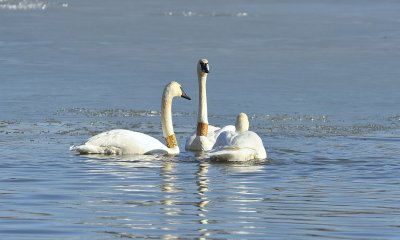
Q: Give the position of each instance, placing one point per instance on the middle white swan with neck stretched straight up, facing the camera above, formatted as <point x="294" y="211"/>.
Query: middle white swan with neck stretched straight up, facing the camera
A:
<point x="205" y="135"/>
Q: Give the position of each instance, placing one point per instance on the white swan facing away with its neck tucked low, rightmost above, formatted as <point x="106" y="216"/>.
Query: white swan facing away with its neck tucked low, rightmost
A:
<point x="239" y="145"/>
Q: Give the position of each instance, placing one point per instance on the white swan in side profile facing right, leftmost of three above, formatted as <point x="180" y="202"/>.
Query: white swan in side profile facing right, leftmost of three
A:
<point x="120" y="141"/>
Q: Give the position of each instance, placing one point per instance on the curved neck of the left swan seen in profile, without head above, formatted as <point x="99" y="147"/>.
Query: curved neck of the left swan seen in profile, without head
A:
<point x="166" y="120"/>
